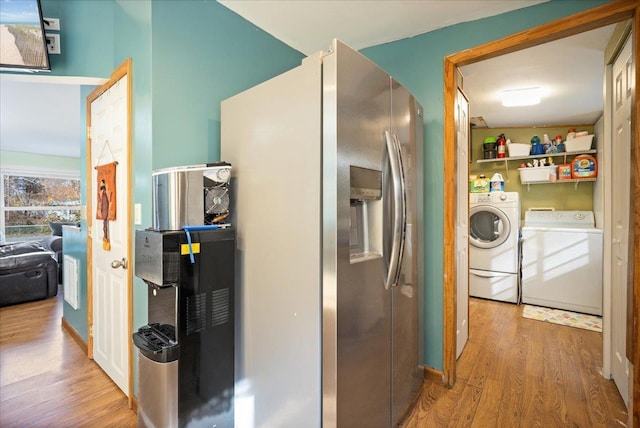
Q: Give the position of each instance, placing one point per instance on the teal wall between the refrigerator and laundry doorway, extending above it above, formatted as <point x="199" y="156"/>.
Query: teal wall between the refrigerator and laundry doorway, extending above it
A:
<point x="418" y="64"/>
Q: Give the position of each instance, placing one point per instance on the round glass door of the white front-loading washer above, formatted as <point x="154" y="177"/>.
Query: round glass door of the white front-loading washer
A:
<point x="489" y="227"/>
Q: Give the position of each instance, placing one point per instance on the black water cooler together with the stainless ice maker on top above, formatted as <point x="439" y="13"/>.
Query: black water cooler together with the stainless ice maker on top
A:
<point x="186" y="351"/>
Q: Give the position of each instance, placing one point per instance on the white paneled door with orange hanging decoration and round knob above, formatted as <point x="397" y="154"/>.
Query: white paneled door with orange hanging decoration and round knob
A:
<point x="110" y="274"/>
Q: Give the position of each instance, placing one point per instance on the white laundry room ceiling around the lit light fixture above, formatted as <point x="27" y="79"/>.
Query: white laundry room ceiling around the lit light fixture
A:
<point x="569" y="71"/>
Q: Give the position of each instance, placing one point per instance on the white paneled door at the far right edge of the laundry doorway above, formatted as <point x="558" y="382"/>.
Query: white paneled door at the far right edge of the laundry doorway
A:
<point x="623" y="78"/>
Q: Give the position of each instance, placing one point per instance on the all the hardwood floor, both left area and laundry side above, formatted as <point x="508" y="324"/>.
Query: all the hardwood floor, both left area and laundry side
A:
<point x="514" y="372"/>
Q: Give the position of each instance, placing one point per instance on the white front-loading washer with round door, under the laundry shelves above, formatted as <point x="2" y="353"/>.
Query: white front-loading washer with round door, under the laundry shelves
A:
<point x="494" y="231"/>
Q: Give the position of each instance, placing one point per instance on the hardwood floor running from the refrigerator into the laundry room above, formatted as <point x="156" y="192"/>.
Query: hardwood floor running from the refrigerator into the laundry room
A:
<point x="517" y="372"/>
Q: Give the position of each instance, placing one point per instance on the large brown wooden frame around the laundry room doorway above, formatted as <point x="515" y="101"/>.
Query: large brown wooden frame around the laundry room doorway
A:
<point x="610" y="13"/>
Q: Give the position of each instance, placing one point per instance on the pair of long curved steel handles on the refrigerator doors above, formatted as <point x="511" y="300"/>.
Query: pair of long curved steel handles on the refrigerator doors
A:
<point x="399" y="208"/>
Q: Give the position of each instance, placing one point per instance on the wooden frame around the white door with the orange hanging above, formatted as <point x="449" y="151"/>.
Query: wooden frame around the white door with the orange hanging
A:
<point x="123" y="70"/>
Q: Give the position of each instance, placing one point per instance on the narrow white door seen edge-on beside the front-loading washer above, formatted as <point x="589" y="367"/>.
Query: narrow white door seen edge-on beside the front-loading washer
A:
<point x="462" y="223"/>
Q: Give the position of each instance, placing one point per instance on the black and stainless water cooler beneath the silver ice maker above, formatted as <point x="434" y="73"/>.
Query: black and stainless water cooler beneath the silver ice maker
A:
<point x="186" y="351"/>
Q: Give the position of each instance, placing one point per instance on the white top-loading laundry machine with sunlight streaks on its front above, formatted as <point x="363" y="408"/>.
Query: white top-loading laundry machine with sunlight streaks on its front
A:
<point x="562" y="261"/>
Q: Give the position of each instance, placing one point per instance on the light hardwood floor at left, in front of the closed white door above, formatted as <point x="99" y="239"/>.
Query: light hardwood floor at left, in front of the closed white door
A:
<point x="46" y="379"/>
